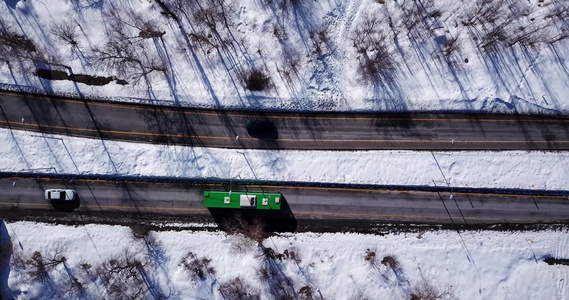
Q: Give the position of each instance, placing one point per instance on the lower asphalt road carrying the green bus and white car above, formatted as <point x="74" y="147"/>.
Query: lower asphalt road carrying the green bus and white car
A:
<point x="300" y="203"/>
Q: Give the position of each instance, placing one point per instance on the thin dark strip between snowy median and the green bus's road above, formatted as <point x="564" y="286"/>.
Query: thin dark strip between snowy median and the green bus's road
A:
<point x="251" y="182"/>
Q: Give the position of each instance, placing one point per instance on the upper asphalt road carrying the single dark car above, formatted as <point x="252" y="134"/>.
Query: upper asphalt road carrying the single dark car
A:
<point x="322" y="131"/>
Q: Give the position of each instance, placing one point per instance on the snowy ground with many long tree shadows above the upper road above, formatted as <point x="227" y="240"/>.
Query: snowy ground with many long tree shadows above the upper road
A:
<point x="365" y="55"/>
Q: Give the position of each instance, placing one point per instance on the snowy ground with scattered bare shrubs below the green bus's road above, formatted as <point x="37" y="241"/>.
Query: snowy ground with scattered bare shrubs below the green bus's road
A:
<point x="197" y="265"/>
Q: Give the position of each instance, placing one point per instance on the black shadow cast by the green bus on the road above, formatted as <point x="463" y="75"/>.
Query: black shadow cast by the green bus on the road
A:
<point x="282" y="220"/>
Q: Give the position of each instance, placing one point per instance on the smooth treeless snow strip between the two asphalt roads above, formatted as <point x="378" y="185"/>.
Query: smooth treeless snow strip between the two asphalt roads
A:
<point x="35" y="152"/>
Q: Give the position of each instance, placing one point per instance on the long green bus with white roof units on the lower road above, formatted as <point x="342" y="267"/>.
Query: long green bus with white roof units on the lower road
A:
<point x="251" y="200"/>
